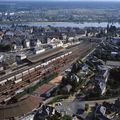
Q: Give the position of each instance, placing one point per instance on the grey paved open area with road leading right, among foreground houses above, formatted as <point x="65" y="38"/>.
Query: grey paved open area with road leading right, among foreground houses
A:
<point x="70" y="106"/>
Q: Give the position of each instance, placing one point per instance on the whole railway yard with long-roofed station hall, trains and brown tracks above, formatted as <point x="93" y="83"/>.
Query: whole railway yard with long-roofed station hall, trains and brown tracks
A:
<point x="40" y="66"/>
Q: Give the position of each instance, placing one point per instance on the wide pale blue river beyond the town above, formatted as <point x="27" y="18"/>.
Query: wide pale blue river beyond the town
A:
<point x="65" y="24"/>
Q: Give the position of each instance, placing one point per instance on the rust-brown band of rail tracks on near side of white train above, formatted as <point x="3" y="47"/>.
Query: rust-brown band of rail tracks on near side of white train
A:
<point x="57" y="65"/>
